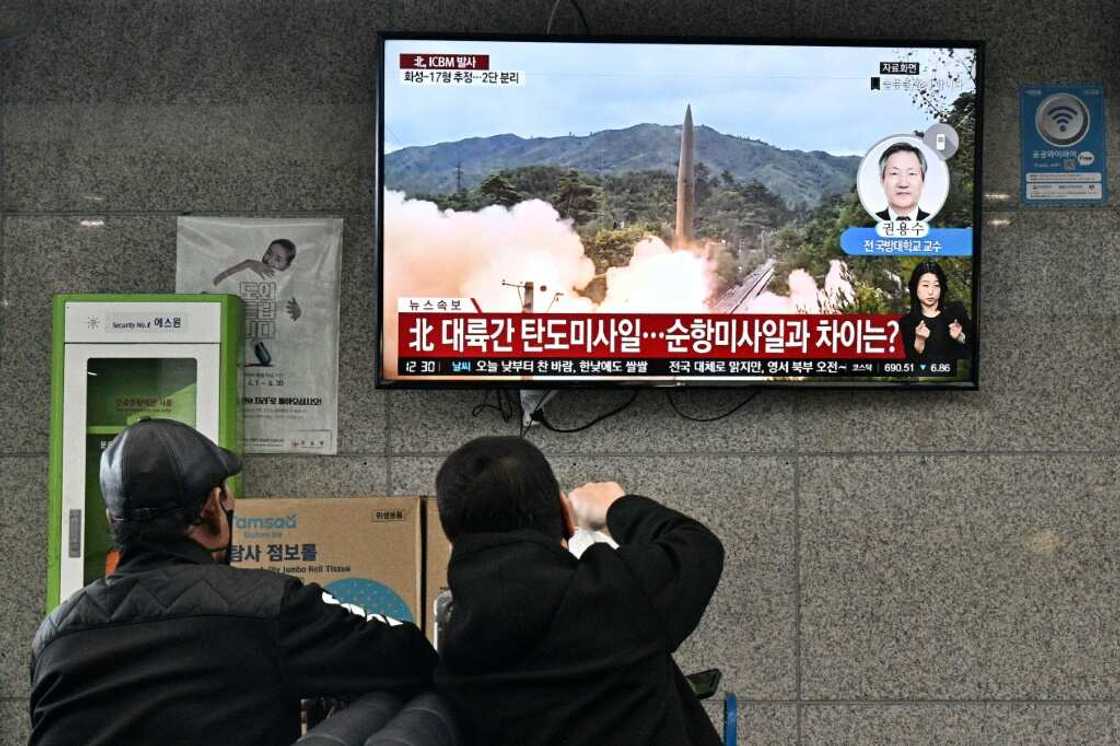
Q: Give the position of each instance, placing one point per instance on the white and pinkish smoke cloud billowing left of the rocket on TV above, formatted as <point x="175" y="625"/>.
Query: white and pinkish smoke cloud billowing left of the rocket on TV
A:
<point x="430" y="253"/>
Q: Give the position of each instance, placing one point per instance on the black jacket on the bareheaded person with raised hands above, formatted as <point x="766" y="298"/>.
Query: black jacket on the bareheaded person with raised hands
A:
<point x="544" y="649"/>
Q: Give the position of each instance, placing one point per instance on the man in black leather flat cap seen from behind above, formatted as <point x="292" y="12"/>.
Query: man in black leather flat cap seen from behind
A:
<point x="179" y="648"/>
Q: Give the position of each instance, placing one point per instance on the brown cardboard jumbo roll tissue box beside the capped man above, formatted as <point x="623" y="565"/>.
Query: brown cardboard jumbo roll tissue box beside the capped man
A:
<point x="362" y="551"/>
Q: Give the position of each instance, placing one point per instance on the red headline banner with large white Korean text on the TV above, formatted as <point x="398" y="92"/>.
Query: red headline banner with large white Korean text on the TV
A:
<point x="651" y="337"/>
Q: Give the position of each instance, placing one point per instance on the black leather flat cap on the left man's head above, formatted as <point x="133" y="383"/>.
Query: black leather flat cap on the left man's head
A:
<point x="158" y="467"/>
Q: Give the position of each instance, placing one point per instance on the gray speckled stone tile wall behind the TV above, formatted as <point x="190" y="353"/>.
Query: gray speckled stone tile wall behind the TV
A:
<point x="932" y="568"/>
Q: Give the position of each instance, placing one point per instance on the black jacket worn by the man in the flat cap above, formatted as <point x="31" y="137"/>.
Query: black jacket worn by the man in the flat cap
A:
<point x="175" y="649"/>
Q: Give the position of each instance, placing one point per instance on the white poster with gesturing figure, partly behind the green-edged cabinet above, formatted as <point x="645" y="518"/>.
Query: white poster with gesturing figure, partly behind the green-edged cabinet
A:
<point x="287" y="273"/>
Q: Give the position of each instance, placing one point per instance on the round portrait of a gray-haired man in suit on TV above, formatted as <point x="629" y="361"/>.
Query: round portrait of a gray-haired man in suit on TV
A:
<point x="902" y="180"/>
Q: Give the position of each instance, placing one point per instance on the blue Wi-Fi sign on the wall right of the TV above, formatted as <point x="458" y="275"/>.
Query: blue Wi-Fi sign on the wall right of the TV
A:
<point x="1063" y="135"/>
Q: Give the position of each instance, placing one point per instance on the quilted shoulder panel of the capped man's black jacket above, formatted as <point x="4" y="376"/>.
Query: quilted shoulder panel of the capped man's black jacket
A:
<point x="170" y="592"/>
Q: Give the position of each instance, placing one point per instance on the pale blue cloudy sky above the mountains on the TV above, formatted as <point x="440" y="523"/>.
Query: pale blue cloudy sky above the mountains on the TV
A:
<point x="794" y="98"/>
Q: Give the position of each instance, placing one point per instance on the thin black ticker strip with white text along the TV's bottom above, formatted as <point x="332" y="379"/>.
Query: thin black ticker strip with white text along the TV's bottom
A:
<point x="630" y="368"/>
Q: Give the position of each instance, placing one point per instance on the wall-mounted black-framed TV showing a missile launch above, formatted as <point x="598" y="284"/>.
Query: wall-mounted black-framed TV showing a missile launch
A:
<point x="562" y="212"/>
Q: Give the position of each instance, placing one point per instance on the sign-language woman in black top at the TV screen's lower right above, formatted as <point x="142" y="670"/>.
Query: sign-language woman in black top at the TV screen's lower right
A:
<point x="936" y="331"/>
